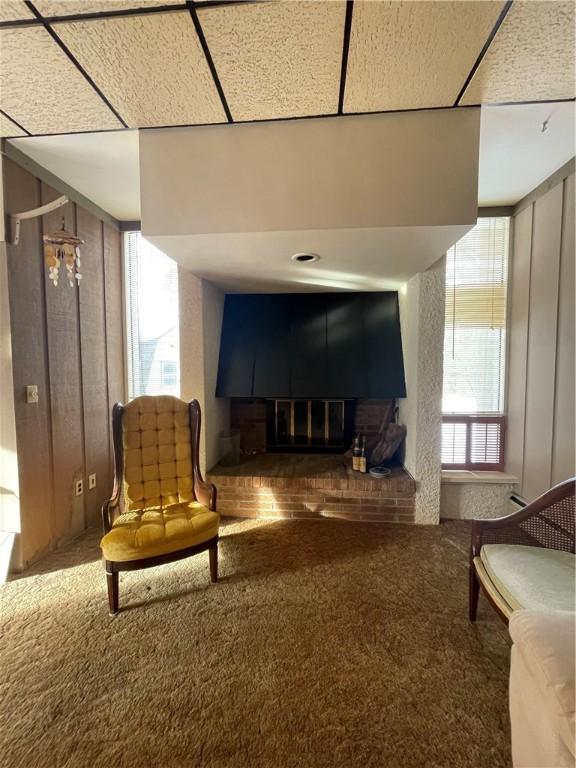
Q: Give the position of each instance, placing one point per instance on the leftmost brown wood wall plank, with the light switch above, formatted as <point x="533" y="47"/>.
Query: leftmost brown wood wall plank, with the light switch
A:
<point x="30" y="366"/>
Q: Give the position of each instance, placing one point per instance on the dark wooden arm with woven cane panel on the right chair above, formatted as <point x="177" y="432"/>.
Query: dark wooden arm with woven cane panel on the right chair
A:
<point x="517" y="529"/>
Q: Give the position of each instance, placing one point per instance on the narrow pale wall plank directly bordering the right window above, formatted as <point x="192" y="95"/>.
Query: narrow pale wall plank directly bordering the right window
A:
<point x="518" y="346"/>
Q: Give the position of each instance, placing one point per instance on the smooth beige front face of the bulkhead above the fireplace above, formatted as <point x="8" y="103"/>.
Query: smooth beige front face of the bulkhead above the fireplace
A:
<point x="354" y="171"/>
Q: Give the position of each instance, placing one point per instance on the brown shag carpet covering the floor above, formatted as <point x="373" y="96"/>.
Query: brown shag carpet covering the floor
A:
<point x="325" y="644"/>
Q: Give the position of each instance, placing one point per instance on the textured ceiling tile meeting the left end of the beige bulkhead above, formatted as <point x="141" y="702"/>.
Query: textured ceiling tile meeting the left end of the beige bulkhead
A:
<point x="151" y="68"/>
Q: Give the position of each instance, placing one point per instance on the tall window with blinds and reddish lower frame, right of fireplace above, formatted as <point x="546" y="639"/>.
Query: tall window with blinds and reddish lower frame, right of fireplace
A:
<point x="475" y="348"/>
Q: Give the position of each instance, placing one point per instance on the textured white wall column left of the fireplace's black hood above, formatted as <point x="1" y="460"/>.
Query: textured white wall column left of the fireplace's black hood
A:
<point x="201" y="309"/>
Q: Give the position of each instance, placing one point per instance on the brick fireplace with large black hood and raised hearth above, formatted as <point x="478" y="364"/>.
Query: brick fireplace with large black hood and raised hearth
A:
<point x="302" y="372"/>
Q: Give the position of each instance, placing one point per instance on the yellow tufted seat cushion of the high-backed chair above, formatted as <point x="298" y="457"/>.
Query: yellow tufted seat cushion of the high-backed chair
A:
<point x="140" y="534"/>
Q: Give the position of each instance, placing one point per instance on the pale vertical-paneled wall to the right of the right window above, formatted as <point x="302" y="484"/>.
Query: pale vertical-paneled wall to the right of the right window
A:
<point x="541" y="387"/>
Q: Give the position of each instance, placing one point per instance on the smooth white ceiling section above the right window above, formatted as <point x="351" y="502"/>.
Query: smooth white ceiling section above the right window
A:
<point x="516" y="155"/>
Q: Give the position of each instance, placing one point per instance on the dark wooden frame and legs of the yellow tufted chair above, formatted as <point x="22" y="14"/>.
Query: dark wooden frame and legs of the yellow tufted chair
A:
<point x="204" y="492"/>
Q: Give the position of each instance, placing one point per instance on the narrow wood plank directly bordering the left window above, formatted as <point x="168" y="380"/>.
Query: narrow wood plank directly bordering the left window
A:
<point x="113" y="277"/>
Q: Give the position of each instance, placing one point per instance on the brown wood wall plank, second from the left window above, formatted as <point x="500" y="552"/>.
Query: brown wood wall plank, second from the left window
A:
<point x="93" y="361"/>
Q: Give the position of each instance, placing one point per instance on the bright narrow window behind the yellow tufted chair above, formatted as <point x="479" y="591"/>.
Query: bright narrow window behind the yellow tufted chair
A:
<point x="152" y="319"/>
